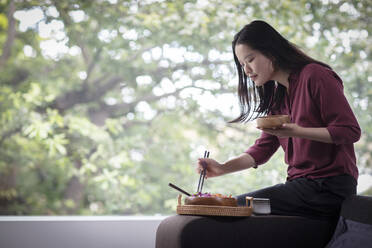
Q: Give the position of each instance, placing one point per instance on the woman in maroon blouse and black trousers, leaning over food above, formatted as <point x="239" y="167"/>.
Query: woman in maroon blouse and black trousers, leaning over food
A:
<point x="275" y="77"/>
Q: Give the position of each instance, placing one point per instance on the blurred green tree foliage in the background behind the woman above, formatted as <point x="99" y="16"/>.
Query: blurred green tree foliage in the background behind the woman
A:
<point x="103" y="103"/>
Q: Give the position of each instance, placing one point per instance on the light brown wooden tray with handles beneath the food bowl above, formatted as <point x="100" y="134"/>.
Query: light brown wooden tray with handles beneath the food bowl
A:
<point x="215" y="210"/>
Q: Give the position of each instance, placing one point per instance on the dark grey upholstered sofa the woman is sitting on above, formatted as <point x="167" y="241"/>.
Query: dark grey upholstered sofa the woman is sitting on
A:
<point x="181" y="231"/>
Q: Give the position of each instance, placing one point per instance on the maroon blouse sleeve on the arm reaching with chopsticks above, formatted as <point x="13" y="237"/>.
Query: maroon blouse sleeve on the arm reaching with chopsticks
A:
<point x="263" y="148"/>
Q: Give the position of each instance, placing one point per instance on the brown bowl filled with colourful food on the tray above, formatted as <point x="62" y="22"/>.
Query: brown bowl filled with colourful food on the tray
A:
<point x="211" y="199"/>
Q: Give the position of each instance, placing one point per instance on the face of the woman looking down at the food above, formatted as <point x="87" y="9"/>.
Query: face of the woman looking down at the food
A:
<point x="255" y="65"/>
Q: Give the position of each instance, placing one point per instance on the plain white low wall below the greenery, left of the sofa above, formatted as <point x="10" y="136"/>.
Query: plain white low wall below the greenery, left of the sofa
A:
<point x="78" y="231"/>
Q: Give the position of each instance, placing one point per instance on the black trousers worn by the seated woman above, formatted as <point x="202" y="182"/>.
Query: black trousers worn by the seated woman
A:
<point x="317" y="198"/>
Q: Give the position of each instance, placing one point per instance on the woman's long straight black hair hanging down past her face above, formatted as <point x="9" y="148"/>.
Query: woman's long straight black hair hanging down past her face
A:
<point x="254" y="100"/>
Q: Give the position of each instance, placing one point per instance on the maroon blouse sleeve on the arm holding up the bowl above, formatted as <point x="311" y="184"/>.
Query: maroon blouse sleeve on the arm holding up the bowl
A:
<point x="327" y="91"/>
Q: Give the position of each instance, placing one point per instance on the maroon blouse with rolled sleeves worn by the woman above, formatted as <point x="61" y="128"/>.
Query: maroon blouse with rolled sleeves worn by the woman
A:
<point x="315" y="99"/>
